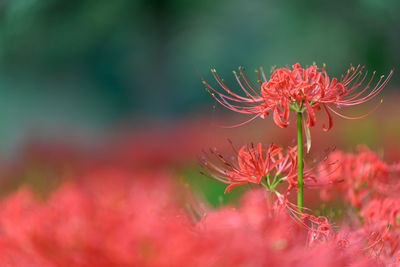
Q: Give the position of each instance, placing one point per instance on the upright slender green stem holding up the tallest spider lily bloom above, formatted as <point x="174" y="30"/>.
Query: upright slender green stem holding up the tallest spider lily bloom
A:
<point x="300" y="161"/>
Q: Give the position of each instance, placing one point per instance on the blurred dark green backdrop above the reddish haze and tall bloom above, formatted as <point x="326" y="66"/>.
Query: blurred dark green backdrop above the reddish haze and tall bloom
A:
<point x="89" y="65"/>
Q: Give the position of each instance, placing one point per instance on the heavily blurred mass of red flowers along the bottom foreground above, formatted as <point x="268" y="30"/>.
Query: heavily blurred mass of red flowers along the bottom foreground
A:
<point x="110" y="219"/>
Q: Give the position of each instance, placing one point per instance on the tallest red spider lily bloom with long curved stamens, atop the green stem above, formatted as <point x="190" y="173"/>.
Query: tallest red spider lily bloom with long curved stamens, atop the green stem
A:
<point x="298" y="89"/>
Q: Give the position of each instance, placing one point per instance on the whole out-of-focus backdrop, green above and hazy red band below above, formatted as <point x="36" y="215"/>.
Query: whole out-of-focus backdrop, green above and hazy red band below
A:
<point x="81" y="75"/>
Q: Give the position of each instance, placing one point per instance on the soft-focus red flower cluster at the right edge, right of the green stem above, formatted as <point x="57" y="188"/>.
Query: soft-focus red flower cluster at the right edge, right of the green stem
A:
<point x="358" y="176"/>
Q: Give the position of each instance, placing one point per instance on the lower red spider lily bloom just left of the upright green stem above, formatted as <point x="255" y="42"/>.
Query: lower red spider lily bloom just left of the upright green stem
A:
<point x="256" y="164"/>
